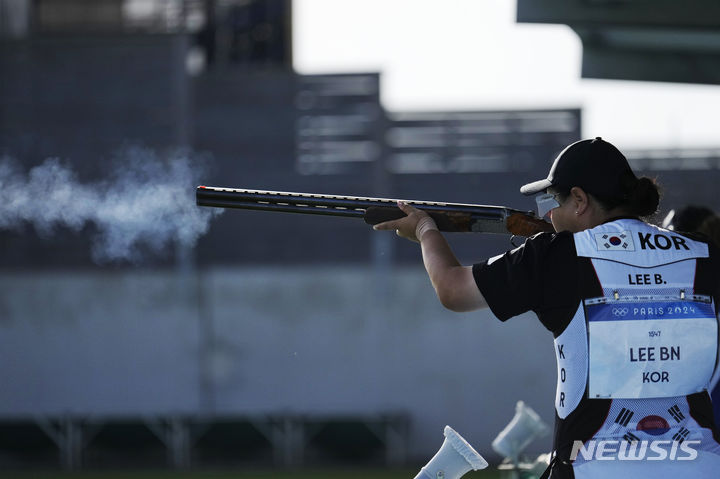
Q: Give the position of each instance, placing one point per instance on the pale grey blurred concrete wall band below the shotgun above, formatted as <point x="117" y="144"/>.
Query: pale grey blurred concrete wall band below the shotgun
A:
<point x="357" y="340"/>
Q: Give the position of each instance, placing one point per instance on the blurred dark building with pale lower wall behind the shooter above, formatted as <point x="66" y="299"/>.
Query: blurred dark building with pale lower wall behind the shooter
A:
<point x="283" y="339"/>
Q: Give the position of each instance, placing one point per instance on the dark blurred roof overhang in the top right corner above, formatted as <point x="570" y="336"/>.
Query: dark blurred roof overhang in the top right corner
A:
<point x="649" y="40"/>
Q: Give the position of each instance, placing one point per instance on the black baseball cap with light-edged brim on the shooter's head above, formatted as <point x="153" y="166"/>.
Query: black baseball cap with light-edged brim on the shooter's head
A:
<point x="596" y="166"/>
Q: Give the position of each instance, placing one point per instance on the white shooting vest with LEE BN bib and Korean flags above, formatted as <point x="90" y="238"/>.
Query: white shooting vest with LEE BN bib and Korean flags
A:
<point x="646" y="342"/>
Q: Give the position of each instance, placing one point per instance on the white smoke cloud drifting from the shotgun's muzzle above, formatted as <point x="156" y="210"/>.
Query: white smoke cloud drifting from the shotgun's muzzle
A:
<point x="146" y="203"/>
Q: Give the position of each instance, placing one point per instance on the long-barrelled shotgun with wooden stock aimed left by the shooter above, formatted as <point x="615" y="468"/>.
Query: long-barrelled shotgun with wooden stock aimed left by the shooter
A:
<point x="450" y="217"/>
